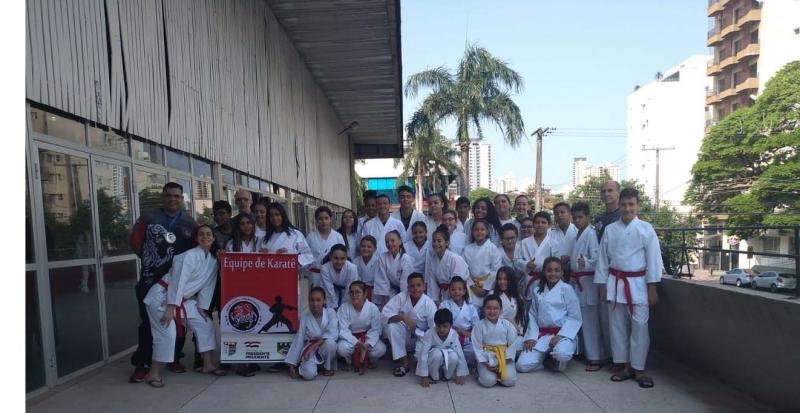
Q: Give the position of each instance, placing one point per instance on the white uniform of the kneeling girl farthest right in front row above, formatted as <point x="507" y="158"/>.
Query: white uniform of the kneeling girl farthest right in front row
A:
<point x="557" y="307"/>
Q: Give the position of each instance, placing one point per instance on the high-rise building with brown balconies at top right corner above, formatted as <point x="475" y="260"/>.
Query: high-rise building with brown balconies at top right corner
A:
<point x="751" y="41"/>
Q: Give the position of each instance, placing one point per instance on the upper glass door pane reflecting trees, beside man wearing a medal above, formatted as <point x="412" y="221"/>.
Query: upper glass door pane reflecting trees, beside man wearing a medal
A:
<point x="113" y="188"/>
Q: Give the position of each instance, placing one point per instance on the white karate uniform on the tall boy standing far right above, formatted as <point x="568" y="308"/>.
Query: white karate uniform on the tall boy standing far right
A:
<point x="629" y="248"/>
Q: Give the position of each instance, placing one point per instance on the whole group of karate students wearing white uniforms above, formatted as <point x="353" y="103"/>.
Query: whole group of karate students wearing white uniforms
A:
<point x="500" y="293"/>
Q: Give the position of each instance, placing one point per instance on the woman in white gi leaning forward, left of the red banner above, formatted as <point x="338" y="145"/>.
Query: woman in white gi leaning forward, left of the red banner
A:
<point x="183" y="295"/>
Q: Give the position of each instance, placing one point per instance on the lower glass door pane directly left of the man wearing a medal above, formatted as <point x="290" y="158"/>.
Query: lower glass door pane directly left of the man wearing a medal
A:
<point x="122" y="314"/>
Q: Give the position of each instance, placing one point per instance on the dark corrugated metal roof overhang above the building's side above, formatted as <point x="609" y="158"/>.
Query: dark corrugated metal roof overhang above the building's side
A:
<point x="352" y="48"/>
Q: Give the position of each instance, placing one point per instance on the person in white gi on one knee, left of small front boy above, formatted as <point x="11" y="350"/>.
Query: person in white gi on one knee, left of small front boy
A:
<point x="408" y="316"/>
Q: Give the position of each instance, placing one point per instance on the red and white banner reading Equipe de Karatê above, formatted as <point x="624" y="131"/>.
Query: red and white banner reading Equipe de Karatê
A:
<point x="259" y="314"/>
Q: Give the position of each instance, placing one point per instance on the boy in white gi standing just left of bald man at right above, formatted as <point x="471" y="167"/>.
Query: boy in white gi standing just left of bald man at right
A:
<point x="583" y="259"/>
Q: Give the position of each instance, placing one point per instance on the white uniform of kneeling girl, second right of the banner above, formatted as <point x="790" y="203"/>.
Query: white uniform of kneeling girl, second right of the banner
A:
<point x="352" y="322"/>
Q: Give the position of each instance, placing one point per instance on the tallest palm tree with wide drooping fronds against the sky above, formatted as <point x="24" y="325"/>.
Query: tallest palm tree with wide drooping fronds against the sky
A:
<point x="479" y="92"/>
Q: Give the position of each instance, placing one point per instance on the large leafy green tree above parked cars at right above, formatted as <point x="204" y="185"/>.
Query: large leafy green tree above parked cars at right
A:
<point x="748" y="165"/>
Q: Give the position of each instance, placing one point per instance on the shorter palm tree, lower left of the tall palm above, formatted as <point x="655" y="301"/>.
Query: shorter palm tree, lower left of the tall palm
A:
<point x="429" y="154"/>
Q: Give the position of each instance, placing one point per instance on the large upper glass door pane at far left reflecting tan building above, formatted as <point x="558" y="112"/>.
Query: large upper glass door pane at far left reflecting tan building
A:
<point x="67" y="207"/>
